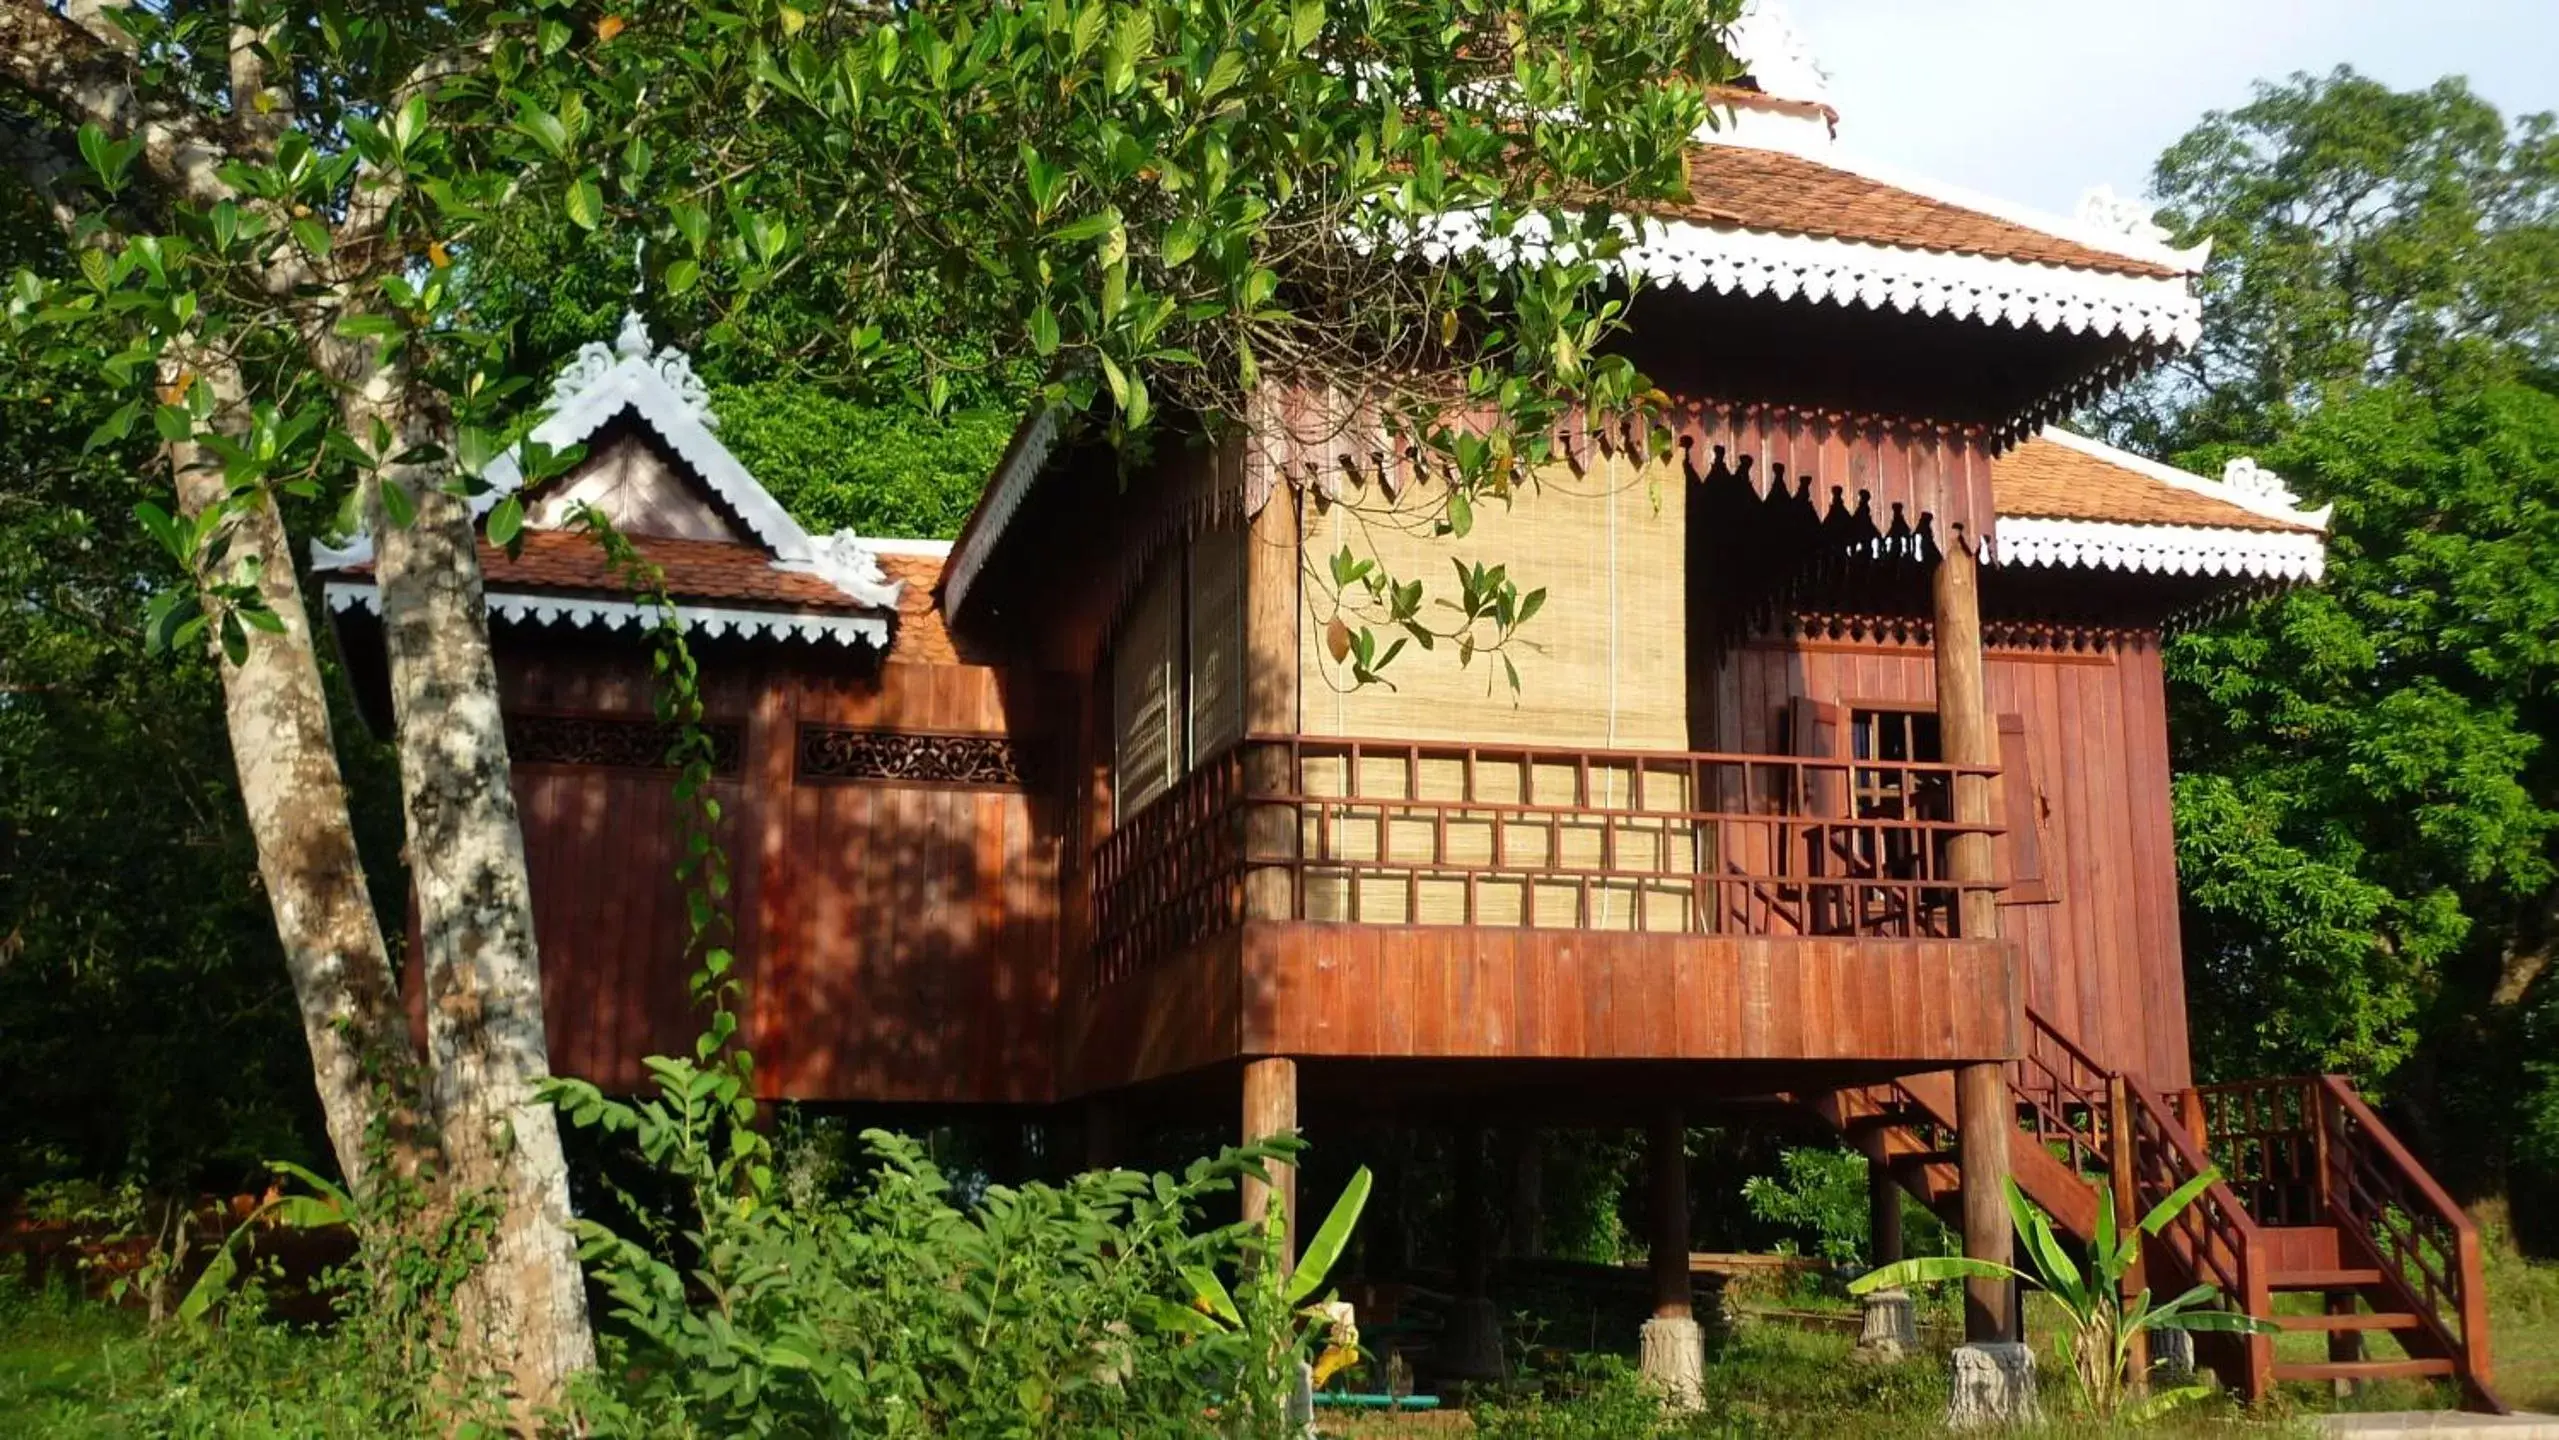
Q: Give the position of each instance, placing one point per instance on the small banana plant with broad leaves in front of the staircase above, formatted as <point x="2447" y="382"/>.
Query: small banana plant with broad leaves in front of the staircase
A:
<point x="2102" y="1321"/>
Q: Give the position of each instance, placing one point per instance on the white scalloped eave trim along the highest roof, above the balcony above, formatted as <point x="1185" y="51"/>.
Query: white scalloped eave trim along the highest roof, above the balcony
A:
<point x="1882" y="278"/>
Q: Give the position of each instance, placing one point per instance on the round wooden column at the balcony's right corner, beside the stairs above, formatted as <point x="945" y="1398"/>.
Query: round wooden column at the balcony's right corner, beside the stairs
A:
<point x="1985" y="1114"/>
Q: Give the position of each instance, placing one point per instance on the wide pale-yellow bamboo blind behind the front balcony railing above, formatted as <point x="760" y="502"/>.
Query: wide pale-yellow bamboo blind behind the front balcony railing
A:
<point x="1603" y="666"/>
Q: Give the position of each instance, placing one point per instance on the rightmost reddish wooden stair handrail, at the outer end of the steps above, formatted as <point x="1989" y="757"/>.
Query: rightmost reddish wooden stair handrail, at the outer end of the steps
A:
<point x="2384" y="1201"/>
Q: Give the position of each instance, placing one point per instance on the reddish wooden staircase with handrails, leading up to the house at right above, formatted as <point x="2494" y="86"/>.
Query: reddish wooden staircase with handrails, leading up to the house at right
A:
<point x="2315" y="1196"/>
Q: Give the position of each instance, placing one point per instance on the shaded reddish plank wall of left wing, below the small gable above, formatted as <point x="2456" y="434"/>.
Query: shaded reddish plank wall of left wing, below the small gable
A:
<point x="899" y="940"/>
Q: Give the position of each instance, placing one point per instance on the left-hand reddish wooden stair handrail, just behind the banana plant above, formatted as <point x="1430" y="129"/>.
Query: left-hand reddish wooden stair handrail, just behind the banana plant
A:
<point x="2215" y="1239"/>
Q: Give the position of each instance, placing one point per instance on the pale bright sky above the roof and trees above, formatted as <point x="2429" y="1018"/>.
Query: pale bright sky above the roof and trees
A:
<point x="2038" y="101"/>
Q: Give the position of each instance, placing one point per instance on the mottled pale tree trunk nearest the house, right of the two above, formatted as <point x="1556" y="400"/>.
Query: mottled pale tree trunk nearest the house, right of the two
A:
<point x="523" y="1311"/>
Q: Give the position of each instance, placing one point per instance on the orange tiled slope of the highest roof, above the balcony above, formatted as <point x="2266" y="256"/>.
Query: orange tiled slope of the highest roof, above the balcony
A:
<point x="1793" y="196"/>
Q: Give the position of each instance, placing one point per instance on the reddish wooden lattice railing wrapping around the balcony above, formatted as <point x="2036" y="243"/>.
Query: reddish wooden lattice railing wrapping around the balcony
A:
<point x="1485" y="835"/>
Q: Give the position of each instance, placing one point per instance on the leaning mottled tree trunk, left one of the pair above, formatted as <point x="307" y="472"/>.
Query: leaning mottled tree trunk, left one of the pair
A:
<point x="298" y="815"/>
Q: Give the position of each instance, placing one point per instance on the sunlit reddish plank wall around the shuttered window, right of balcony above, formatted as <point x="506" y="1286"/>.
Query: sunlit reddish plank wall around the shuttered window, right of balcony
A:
<point x="2105" y="958"/>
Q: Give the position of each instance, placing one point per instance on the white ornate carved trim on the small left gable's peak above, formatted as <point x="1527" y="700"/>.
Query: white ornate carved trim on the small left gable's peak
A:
<point x="669" y="398"/>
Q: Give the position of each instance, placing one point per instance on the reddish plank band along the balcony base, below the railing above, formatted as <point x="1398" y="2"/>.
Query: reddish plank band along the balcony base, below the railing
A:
<point x="1345" y="991"/>
